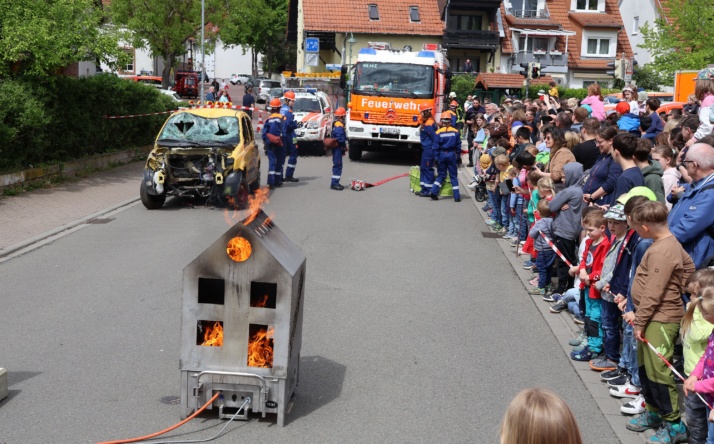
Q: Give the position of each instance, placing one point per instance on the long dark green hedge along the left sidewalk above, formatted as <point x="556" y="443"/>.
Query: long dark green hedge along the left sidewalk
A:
<point x="47" y="120"/>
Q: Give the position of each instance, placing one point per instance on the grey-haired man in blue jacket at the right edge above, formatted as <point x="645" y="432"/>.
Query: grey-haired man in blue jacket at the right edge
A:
<point x="691" y="220"/>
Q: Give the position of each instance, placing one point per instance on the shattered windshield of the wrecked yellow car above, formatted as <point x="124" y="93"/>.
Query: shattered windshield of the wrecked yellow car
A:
<point x="192" y="128"/>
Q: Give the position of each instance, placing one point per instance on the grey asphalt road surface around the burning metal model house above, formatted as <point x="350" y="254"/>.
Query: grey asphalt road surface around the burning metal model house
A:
<point x="416" y="328"/>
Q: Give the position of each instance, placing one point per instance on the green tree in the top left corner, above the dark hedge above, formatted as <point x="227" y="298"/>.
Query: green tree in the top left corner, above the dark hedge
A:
<point x="39" y="37"/>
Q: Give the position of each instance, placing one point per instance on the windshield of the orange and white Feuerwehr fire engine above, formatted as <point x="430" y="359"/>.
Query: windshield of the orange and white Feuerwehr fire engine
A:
<point x="394" y="79"/>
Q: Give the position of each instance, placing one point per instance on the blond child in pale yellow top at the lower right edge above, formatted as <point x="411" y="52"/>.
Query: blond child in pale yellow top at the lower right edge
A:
<point x="695" y="334"/>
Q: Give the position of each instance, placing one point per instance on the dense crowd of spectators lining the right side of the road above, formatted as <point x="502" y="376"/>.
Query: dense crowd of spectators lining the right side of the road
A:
<point x="626" y="197"/>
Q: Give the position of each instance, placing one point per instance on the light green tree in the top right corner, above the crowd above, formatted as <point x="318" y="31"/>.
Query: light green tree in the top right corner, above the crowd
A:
<point x="686" y="41"/>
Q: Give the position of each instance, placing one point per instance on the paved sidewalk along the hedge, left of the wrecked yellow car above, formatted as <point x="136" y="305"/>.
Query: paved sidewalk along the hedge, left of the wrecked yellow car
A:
<point x="32" y="216"/>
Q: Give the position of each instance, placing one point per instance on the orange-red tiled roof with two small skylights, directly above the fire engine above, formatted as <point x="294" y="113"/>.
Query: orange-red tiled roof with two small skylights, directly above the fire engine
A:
<point x="353" y="16"/>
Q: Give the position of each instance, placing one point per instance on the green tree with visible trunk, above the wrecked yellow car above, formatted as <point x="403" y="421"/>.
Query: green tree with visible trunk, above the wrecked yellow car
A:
<point x="163" y="26"/>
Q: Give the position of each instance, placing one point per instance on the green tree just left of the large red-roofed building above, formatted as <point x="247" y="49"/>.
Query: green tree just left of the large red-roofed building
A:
<point x="259" y="25"/>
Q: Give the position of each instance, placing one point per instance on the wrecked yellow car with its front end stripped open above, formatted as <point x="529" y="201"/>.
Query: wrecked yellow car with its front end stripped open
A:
<point x="205" y="153"/>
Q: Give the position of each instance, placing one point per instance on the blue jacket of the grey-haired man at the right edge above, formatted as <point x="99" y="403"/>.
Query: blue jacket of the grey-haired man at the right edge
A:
<point x="692" y="217"/>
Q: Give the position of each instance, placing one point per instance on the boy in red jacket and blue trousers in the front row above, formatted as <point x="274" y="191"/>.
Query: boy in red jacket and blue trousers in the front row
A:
<point x="589" y="269"/>
